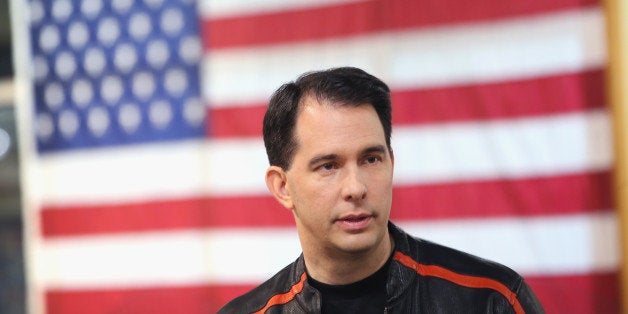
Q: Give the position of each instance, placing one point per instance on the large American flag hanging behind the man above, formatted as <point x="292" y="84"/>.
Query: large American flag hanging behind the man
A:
<point x="143" y="161"/>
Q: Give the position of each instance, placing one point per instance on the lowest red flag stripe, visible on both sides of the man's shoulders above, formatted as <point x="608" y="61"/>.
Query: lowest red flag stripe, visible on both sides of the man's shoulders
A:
<point x="590" y="293"/>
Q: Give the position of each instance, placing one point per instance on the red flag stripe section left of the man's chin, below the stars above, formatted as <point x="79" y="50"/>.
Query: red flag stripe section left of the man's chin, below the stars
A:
<point x="224" y="212"/>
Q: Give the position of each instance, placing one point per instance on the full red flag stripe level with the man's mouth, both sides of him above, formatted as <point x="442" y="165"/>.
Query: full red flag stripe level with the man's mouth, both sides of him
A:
<point x="565" y="194"/>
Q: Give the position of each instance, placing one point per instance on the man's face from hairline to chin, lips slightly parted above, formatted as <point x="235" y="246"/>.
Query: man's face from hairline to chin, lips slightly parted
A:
<point x="340" y="180"/>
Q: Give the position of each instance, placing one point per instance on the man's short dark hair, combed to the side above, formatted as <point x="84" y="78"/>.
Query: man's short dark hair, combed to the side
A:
<point x="344" y="86"/>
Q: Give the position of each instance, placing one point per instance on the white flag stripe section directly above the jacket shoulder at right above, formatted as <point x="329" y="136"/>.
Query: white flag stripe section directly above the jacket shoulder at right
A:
<point x="548" y="245"/>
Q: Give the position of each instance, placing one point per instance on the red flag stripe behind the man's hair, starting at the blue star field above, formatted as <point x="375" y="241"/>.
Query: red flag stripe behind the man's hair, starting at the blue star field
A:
<point x="562" y="93"/>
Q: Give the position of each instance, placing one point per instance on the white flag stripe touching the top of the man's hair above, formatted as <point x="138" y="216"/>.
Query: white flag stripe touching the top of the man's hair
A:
<point x="493" y="51"/>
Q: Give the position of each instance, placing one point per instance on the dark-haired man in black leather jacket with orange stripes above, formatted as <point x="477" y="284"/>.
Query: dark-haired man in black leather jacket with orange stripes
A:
<point x="327" y="137"/>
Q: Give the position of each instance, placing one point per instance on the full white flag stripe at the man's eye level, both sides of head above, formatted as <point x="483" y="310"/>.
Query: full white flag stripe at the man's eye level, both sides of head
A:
<point x="558" y="144"/>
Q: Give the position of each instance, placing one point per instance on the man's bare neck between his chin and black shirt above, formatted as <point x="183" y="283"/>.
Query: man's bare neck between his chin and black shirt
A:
<point x="340" y="268"/>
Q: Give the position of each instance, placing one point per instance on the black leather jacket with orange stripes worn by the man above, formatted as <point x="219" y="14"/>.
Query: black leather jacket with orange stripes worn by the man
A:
<point x="424" y="277"/>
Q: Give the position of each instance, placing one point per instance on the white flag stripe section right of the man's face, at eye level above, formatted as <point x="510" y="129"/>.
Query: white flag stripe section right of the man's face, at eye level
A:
<point x="512" y="148"/>
